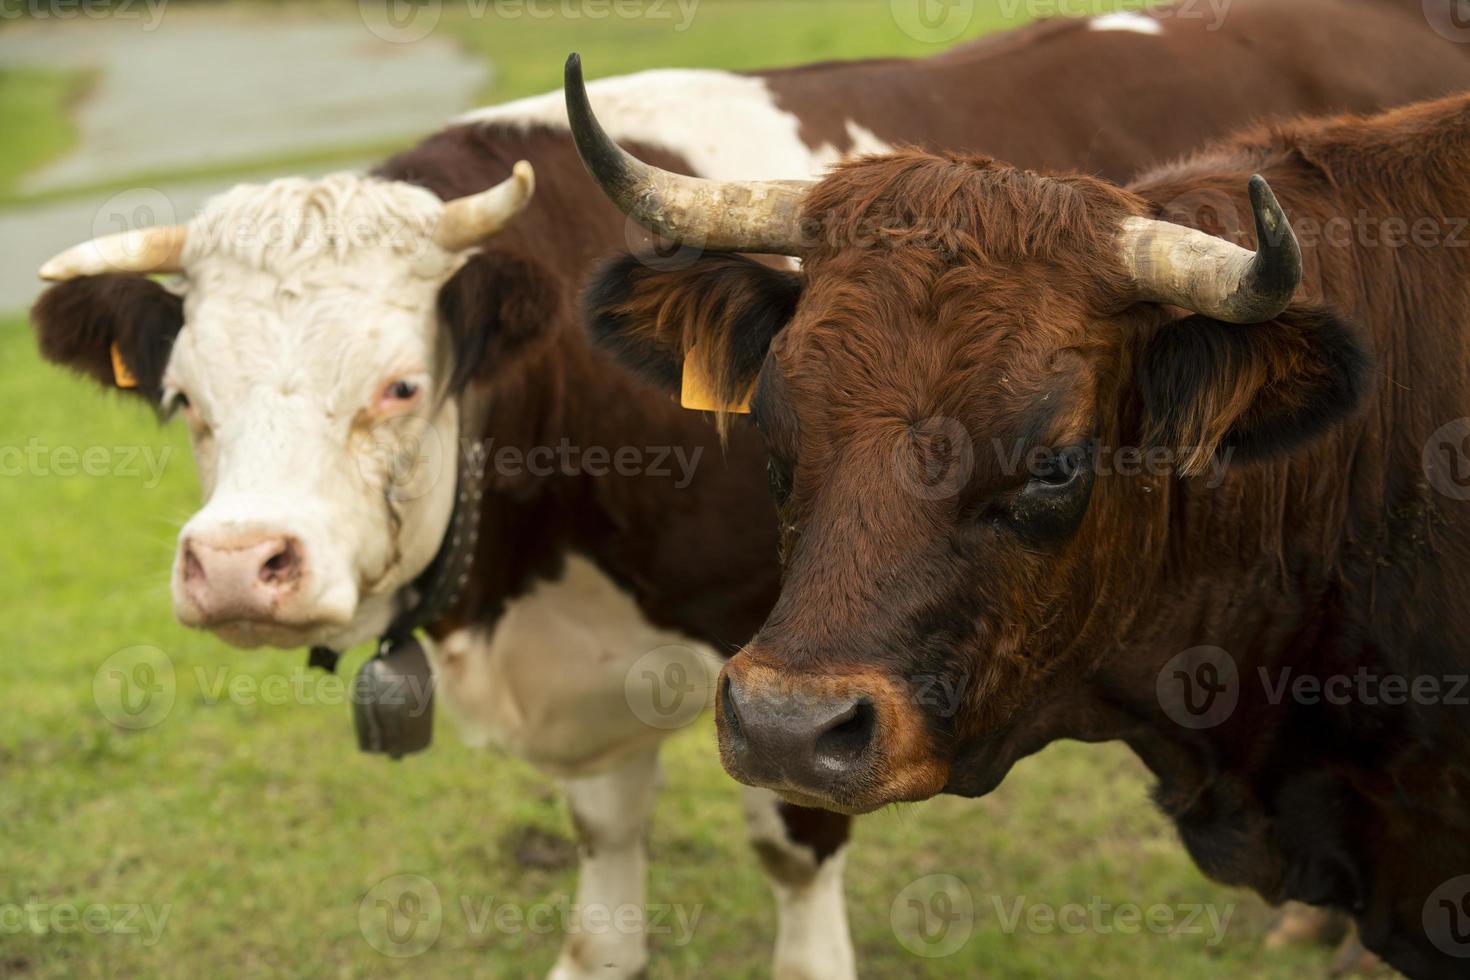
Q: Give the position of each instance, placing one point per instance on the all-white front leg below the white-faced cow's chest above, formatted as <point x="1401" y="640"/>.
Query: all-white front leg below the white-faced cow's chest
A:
<point x="606" y="929"/>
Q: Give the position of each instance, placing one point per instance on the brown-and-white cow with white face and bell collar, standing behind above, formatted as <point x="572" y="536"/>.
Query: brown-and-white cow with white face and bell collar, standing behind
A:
<point x="323" y="334"/>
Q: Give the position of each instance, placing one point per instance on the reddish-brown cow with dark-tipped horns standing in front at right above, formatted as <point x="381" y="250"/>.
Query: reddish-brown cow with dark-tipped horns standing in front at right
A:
<point x="1263" y="597"/>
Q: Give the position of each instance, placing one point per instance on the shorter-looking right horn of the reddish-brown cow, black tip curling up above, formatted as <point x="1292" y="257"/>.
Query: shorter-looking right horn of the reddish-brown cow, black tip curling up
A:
<point x="1187" y="268"/>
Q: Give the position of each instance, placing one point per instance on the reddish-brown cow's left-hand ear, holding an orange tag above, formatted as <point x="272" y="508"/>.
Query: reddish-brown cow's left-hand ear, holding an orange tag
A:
<point x="649" y="317"/>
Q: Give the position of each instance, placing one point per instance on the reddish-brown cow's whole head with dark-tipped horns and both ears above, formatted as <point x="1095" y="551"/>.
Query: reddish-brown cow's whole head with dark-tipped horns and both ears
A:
<point x="944" y="392"/>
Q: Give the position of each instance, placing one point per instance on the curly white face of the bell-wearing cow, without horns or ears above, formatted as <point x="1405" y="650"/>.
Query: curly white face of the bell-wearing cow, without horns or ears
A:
<point x="305" y="300"/>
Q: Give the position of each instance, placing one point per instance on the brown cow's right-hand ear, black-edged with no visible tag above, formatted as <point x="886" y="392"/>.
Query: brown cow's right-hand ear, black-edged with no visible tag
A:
<point x="1256" y="392"/>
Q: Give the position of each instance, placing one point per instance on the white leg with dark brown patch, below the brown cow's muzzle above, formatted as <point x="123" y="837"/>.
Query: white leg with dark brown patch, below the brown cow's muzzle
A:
<point x="803" y="851"/>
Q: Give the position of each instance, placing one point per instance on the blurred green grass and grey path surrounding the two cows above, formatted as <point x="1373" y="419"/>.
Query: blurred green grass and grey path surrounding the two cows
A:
<point x="240" y="825"/>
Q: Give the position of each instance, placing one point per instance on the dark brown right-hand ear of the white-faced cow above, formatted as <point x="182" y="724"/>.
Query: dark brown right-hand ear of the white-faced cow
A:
<point x="496" y="309"/>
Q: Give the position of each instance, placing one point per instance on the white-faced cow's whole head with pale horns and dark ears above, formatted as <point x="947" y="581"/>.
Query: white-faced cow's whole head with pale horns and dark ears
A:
<point x="314" y="343"/>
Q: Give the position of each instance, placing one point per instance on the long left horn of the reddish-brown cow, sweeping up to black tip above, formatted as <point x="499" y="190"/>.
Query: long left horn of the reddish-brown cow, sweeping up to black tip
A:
<point x="759" y="217"/>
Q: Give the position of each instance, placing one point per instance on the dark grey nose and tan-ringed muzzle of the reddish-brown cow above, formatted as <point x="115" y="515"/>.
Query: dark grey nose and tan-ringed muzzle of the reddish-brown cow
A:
<point x="845" y="741"/>
